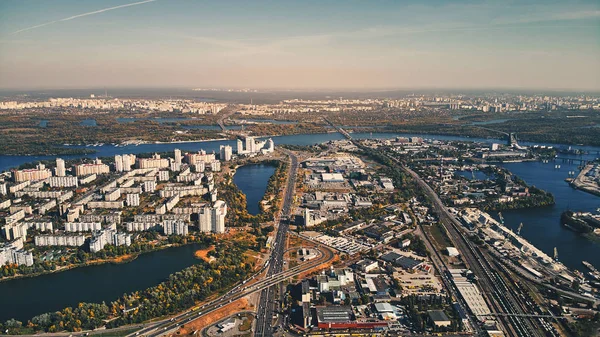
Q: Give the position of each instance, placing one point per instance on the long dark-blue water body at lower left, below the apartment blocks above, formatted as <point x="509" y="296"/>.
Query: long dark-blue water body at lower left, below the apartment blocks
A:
<point x="27" y="297"/>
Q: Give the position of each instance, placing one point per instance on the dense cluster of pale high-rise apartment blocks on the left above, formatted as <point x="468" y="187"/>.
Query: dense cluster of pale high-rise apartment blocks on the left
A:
<point x="92" y="214"/>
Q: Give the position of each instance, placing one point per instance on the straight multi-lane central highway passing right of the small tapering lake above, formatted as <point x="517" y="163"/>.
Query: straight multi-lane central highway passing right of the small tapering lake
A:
<point x="267" y="303"/>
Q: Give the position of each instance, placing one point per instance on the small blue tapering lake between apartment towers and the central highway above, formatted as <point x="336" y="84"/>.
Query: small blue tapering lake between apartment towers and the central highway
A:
<point x="252" y="180"/>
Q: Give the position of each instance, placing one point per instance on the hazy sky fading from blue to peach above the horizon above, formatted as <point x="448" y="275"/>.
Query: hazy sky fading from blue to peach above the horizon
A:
<point x="319" y="44"/>
